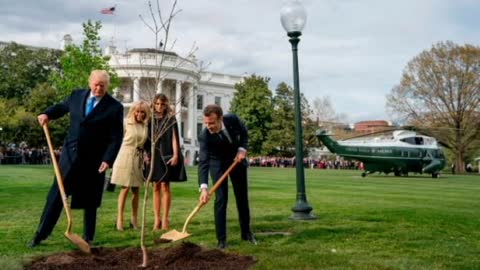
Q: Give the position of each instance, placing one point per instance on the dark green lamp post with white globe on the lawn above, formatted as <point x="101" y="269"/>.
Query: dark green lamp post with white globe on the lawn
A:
<point x="293" y="18"/>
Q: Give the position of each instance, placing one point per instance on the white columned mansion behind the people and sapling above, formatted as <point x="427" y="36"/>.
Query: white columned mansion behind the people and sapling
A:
<point x="145" y="72"/>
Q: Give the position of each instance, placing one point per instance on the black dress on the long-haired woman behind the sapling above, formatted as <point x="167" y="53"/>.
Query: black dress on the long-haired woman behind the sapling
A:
<point x="164" y="130"/>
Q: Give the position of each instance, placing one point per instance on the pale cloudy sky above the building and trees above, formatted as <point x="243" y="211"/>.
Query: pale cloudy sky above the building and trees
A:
<point x="352" y="51"/>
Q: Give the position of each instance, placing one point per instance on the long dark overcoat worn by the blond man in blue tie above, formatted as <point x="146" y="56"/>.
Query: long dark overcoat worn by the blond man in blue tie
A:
<point x="90" y="140"/>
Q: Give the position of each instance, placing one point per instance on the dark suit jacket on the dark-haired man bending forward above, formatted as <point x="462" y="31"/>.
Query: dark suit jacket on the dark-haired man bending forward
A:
<point x="218" y="150"/>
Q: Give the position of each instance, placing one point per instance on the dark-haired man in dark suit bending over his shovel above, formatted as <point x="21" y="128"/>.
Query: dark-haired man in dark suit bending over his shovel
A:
<point x="224" y="139"/>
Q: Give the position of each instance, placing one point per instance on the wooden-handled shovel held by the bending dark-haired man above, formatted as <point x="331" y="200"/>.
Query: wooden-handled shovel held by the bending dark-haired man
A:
<point x="175" y="235"/>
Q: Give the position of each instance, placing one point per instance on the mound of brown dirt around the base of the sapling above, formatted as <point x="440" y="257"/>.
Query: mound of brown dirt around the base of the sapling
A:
<point x="185" y="256"/>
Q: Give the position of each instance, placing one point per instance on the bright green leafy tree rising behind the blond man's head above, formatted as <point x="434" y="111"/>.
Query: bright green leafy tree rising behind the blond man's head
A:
<point x="78" y="61"/>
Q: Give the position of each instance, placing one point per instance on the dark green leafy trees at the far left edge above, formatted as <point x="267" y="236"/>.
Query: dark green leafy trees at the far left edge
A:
<point x="22" y="69"/>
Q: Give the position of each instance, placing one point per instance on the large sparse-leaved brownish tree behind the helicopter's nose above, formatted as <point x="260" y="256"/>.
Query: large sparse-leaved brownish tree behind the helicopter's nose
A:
<point x="439" y="92"/>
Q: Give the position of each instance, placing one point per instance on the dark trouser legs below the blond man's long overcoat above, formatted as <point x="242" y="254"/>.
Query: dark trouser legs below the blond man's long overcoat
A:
<point x="51" y="213"/>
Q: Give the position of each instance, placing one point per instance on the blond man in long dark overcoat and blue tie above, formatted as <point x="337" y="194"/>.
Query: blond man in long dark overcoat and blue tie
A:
<point x="90" y="147"/>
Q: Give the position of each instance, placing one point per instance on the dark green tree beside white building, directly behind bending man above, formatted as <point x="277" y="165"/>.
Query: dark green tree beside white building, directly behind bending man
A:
<point x="253" y="103"/>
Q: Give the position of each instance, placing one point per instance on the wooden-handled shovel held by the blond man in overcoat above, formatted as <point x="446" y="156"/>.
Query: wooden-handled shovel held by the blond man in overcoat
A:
<point x="74" y="238"/>
